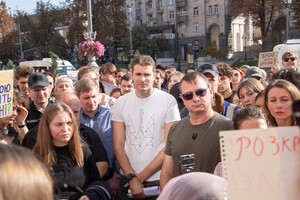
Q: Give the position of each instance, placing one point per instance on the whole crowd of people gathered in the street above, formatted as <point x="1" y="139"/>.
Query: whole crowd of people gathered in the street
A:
<point x="149" y="131"/>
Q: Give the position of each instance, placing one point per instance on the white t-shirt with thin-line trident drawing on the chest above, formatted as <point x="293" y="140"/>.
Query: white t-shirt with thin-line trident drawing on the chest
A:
<point x="145" y="120"/>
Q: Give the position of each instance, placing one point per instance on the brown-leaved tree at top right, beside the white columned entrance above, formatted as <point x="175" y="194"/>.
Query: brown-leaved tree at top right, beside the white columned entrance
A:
<point x="262" y="11"/>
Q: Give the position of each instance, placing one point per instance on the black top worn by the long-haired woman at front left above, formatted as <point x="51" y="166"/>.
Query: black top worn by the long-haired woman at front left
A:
<point x="70" y="179"/>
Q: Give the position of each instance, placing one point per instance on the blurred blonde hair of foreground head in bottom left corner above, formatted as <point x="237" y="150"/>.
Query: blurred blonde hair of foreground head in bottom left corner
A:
<point x="23" y="176"/>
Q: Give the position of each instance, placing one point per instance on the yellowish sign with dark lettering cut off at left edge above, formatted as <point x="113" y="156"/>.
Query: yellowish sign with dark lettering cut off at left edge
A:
<point x="6" y="92"/>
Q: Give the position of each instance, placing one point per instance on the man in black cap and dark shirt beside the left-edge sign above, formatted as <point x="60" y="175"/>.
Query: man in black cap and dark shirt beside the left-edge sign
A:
<point x="38" y="91"/>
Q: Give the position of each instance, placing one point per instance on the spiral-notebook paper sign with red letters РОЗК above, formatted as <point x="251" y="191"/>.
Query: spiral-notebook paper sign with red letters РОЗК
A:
<point x="261" y="163"/>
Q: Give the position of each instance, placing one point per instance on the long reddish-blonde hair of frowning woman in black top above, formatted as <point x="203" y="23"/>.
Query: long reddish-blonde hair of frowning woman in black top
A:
<point x="44" y="146"/>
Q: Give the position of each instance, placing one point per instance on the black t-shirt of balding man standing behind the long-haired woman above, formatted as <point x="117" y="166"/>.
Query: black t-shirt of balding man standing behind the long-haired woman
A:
<point x="87" y="134"/>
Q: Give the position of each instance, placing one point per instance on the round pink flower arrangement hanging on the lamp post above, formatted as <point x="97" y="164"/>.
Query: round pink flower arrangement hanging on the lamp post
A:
<point x="90" y="47"/>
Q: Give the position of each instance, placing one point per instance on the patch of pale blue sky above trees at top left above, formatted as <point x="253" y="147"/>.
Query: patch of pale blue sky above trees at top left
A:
<point x="25" y="5"/>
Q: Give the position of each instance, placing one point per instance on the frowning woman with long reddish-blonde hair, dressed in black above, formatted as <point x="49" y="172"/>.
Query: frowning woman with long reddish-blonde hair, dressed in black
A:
<point x="70" y="162"/>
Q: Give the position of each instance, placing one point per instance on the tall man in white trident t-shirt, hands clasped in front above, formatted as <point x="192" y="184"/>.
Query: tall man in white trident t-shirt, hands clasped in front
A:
<point x="141" y="121"/>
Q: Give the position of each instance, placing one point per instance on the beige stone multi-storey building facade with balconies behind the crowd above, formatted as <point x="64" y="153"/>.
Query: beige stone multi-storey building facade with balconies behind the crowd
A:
<point x="189" y="25"/>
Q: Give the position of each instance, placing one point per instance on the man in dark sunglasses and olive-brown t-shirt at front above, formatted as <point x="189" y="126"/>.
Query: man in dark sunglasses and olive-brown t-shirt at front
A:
<point x="193" y="142"/>
